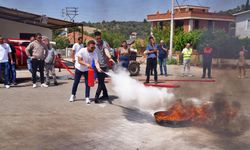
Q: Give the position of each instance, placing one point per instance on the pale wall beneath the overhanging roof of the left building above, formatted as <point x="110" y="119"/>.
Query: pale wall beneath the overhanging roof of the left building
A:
<point x="12" y="29"/>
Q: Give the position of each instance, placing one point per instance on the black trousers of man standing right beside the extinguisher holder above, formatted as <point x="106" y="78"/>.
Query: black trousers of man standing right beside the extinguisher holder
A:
<point x="101" y="83"/>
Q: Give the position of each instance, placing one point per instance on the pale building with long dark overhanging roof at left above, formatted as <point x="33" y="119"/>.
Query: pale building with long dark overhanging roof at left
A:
<point x="22" y="25"/>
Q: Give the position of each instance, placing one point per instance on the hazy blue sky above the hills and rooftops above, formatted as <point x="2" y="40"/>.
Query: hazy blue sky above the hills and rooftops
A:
<point x="108" y="10"/>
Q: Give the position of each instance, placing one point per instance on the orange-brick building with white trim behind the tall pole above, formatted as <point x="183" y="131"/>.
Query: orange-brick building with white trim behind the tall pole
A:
<point x="193" y="17"/>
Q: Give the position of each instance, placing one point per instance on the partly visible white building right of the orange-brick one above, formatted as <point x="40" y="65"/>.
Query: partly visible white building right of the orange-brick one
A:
<point x="242" y="24"/>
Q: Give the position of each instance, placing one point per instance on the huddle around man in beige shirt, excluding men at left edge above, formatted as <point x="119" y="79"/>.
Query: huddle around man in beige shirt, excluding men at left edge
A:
<point x="41" y="56"/>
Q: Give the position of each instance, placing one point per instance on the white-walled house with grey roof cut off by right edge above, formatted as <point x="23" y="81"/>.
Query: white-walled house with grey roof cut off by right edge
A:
<point x="241" y="25"/>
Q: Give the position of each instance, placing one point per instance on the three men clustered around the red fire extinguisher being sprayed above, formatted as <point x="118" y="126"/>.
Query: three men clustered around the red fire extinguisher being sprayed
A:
<point x="95" y="56"/>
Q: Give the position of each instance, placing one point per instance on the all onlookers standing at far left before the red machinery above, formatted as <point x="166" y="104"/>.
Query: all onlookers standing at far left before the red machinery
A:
<point x="41" y="56"/>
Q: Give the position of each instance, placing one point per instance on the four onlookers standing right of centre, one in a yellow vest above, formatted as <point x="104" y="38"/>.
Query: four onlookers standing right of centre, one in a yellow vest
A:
<point x="159" y="54"/>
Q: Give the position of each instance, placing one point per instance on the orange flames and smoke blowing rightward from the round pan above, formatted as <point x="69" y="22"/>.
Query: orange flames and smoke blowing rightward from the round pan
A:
<point x="207" y="111"/>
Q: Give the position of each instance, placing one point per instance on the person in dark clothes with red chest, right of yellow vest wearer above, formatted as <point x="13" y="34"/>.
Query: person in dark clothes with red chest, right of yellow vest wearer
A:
<point x="207" y="61"/>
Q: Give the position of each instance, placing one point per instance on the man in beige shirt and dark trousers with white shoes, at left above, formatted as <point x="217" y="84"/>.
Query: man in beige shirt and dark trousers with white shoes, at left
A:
<point x="39" y="53"/>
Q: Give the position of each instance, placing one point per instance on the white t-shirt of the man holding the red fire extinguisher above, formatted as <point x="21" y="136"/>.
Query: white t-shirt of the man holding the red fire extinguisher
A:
<point x="87" y="57"/>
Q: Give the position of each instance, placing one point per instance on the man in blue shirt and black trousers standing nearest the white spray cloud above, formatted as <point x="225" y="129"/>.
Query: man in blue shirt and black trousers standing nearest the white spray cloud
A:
<point x="151" y="52"/>
